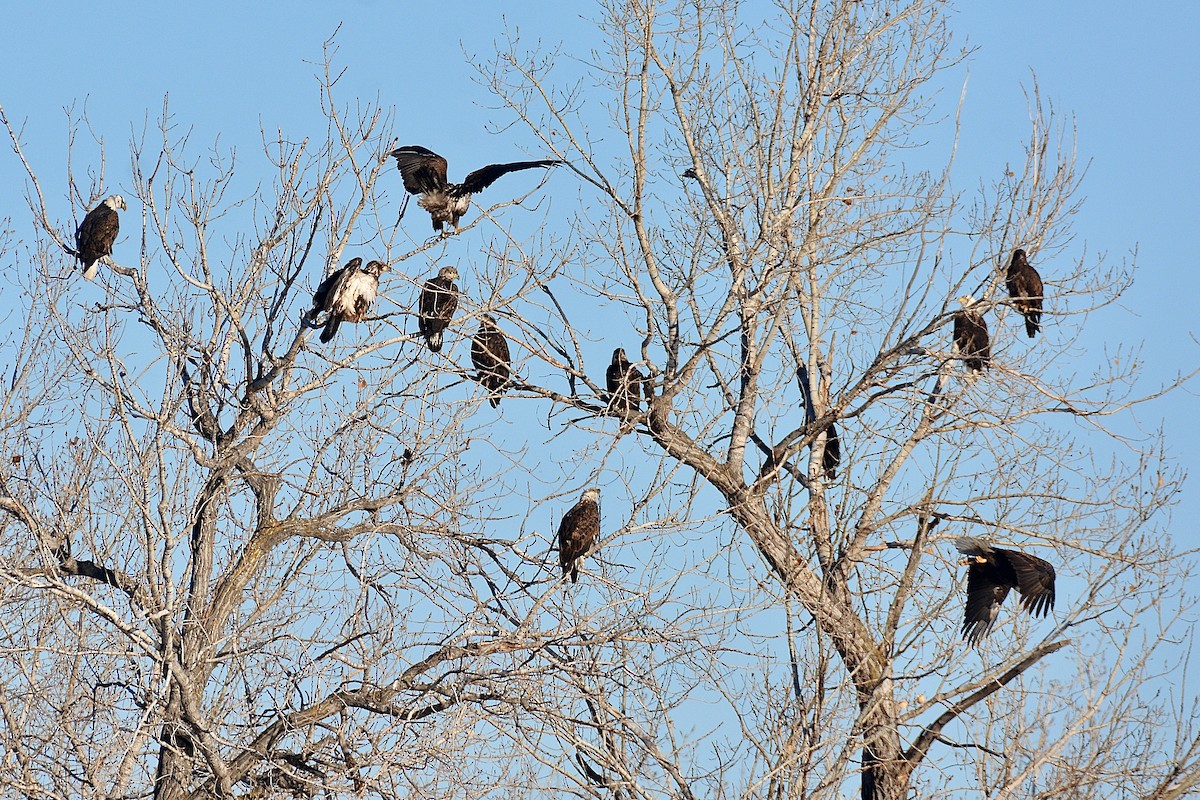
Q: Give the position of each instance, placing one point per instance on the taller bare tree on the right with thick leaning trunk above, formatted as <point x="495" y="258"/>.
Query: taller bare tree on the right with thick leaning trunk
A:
<point x="769" y="227"/>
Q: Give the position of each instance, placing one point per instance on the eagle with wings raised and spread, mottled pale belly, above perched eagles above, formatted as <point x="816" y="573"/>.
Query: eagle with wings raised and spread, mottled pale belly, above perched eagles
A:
<point x="425" y="175"/>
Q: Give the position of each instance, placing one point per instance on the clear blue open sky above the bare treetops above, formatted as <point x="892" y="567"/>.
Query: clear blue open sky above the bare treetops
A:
<point x="1129" y="73"/>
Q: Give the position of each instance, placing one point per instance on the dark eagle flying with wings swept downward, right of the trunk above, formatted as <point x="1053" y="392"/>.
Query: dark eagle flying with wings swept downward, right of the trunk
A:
<point x="994" y="572"/>
